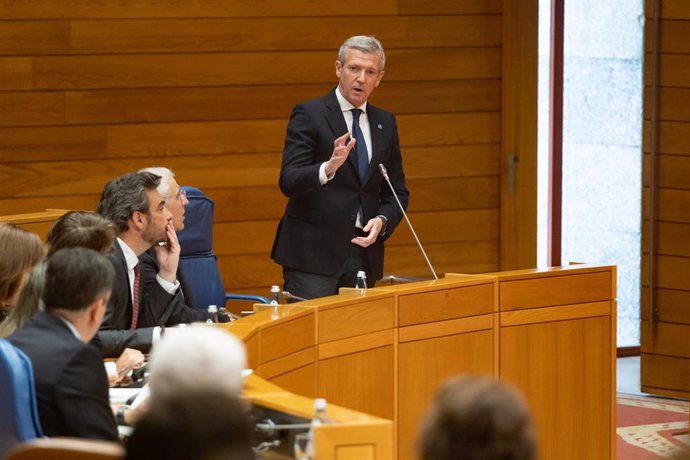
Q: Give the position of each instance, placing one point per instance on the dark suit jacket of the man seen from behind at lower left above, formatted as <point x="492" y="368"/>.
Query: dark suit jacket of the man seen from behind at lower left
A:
<point x="71" y="382"/>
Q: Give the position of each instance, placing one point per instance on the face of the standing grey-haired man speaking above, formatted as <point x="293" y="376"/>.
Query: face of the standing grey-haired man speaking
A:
<point x="359" y="75"/>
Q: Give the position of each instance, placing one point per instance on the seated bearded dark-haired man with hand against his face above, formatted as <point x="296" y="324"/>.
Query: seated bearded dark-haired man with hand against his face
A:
<point x="142" y="220"/>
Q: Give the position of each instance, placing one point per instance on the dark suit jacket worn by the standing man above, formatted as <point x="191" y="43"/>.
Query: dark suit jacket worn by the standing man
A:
<point x="315" y="232"/>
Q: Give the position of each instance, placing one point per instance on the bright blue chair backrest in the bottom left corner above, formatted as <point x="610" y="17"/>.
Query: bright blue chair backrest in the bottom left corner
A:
<point x="18" y="412"/>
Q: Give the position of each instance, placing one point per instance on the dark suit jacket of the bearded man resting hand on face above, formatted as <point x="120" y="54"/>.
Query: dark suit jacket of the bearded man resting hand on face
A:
<point x="115" y="335"/>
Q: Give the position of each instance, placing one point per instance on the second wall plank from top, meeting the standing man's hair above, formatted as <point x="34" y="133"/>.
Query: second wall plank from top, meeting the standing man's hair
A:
<point x="296" y="33"/>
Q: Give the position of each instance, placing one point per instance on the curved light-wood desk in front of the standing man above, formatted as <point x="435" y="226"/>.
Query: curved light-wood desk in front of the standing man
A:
<point x="549" y="332"/>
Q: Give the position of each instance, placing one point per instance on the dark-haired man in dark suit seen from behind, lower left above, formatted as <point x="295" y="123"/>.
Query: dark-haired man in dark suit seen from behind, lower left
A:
<point x="71" y="382"/>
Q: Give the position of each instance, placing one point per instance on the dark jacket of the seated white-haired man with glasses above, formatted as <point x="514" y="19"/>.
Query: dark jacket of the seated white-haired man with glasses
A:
<point x="180" y="307"/>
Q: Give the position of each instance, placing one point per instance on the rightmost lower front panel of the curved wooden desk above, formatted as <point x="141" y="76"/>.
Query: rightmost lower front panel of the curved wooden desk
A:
<point x="582" y="349"/>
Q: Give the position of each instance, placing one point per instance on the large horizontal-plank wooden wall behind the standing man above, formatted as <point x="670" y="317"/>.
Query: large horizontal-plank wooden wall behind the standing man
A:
<point x="91" y="90"/>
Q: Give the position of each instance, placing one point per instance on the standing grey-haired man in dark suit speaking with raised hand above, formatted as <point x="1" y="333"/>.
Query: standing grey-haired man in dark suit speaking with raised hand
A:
<point x="339" y="210"/>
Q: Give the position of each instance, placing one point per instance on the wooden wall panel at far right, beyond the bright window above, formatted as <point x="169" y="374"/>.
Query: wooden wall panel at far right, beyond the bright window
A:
<point x="666" y="204"/>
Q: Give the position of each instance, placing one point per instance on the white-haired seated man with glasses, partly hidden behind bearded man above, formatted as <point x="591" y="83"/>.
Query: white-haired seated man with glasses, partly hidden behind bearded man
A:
<point x="181" y="305"/>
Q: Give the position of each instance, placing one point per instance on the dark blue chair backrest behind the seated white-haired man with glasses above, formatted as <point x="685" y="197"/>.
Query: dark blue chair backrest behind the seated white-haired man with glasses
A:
<point x="197" y="259"/>
